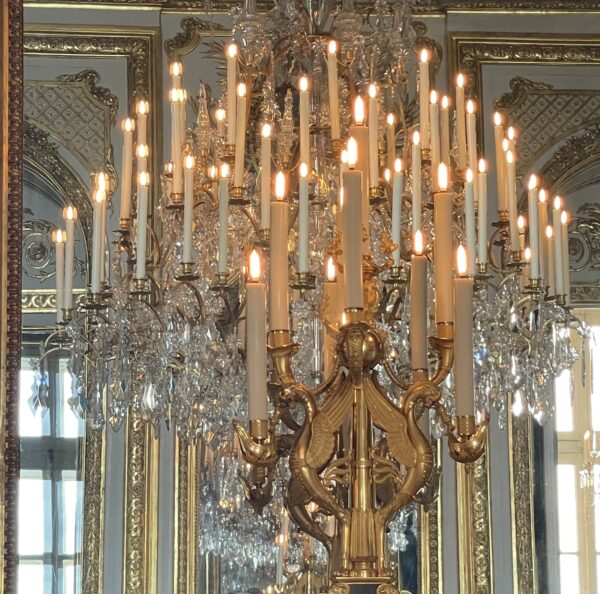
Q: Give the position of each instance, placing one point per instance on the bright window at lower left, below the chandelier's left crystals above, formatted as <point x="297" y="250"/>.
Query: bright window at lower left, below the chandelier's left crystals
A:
<point x="50" y="485"/>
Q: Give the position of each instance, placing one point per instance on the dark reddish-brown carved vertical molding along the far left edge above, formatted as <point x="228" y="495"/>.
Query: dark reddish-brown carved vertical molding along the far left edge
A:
<point x="11" y="118"/>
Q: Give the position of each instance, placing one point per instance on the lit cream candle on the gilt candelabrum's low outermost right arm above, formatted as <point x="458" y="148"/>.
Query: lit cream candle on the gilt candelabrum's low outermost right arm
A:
<point x="463" y="338"/>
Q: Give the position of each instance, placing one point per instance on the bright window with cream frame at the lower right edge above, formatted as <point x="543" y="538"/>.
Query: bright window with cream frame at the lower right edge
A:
<point x="578" y="411"/>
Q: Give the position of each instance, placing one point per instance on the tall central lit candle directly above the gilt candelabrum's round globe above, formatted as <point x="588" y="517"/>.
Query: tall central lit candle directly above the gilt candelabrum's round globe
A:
<point x="352" y="225"/>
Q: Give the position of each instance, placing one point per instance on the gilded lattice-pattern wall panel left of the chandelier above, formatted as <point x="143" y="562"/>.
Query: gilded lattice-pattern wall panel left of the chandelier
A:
<point x="78" y="113"/>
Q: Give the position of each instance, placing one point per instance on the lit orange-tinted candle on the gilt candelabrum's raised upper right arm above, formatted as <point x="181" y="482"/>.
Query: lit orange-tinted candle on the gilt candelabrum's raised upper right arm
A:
<point x="443" y="203"/>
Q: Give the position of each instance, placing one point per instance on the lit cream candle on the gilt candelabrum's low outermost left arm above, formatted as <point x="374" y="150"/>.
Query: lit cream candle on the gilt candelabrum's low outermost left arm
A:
<point x="256" y="341"/>
